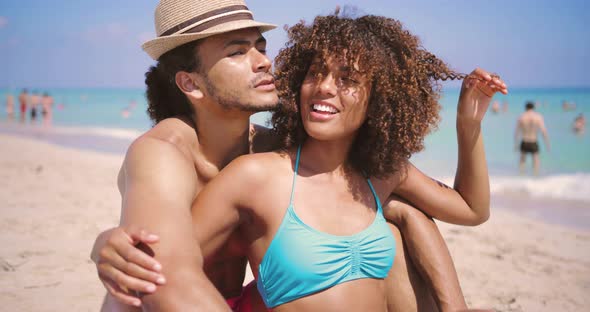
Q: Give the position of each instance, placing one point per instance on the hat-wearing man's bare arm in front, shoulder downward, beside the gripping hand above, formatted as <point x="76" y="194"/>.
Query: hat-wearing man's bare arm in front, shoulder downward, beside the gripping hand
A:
<point x="160" y="185"/>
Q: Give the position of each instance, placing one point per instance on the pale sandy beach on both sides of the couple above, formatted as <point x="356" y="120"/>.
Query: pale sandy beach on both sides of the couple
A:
<point x="55" y="200"/>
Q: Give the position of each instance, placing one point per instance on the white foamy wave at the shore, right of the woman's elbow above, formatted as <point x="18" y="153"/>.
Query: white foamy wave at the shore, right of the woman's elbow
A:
<point x="574" y="186"/>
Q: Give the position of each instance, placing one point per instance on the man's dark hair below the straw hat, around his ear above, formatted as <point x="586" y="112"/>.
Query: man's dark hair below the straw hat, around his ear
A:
<point x="164" y="98"/>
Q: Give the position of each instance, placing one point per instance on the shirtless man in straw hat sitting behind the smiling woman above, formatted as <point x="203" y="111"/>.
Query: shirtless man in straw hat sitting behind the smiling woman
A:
<point x="212" y="74"/>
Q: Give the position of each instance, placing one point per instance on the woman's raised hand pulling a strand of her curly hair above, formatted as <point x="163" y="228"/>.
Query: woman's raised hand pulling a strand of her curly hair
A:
<point x="476" y="94"/>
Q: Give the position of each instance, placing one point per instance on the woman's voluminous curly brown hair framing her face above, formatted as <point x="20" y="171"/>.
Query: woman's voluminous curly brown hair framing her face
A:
<point x="403" y="98"/>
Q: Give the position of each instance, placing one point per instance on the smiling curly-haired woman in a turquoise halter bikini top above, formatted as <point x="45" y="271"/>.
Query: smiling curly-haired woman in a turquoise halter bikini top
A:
<point x="358" y="99"/>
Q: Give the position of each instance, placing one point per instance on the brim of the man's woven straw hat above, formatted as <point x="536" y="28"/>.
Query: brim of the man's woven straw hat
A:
<point x="158" y="46"/>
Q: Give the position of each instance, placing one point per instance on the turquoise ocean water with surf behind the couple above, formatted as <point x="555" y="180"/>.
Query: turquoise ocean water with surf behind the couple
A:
<point x="565" y="170"/>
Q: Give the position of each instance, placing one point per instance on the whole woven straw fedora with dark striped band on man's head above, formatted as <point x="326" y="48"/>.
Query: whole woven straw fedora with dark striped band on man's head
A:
<point x="181" y="21"/>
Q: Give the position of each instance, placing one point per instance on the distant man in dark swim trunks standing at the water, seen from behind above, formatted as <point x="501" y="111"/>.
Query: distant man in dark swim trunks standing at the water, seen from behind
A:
<point x="529" y="123"/>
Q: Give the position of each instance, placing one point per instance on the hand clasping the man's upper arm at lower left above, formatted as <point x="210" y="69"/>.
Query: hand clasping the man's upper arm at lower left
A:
<point x="123" y="267"/>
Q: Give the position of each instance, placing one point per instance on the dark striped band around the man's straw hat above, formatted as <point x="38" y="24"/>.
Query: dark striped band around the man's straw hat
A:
<point x="211" y="19"/>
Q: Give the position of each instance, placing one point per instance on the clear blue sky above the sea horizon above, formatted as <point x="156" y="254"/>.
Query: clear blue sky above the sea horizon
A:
<point x="91" y="43"/>
